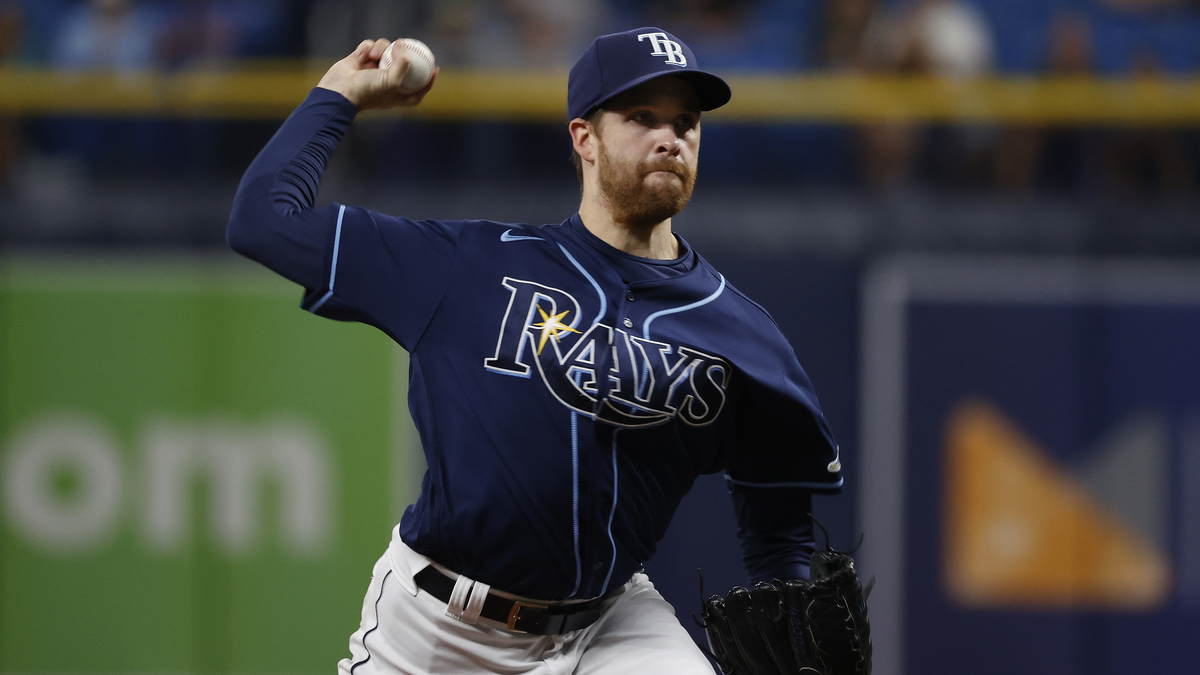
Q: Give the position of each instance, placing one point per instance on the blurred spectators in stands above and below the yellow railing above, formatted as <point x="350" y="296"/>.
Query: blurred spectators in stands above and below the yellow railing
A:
<point x="957" y="39"/>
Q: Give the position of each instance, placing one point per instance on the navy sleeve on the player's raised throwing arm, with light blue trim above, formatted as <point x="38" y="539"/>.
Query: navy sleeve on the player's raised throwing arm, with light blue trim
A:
<point x="355" y="265"/>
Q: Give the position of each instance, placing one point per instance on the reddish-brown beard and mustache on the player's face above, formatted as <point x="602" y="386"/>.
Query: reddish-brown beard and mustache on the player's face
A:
<point x="637" y="202"/>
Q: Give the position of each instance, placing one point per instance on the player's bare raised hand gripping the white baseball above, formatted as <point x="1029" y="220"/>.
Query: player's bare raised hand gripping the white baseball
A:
<point x="359" y="79"/>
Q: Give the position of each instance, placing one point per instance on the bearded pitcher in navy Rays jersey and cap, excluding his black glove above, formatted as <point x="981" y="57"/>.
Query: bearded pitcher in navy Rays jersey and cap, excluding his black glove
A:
<point x="569" y="381"/>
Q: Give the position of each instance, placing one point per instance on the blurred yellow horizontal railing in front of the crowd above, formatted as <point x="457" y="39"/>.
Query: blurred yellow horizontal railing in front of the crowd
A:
<point x="271" y="93"/>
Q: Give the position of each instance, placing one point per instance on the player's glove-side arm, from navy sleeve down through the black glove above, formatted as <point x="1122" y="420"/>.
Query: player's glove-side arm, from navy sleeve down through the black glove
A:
<point x="805" y="612"/>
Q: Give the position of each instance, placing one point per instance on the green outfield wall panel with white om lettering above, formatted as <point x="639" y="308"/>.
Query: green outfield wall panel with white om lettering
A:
<point x="197" y="476"/>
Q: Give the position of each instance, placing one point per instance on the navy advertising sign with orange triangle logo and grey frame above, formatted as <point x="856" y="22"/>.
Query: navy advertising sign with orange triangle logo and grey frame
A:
<point x="1031" y="491"/>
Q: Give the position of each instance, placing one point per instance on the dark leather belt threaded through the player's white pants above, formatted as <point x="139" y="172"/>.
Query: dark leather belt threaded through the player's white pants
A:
<point x="518" y="616"/>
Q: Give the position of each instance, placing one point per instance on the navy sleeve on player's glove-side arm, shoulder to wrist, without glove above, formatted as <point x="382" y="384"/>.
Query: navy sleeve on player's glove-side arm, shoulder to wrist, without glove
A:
<point x="784" y="452"/>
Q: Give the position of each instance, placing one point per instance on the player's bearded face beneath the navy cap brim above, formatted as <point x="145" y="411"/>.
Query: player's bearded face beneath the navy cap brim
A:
<point x="650" y="145"/>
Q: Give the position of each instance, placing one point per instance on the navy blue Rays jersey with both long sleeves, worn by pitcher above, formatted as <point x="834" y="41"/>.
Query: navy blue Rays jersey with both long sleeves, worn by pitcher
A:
<point x="567" y="395"/>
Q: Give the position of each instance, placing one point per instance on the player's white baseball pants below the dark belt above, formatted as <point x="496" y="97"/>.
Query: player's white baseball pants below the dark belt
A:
<point x="406" y="631"/>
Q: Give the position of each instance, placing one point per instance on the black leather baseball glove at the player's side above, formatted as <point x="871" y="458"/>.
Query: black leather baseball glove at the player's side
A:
<point x="814" y="628"/>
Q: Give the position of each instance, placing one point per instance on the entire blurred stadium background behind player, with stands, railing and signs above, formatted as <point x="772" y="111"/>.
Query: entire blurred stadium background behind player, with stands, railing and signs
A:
<point x="976" y="220"/>
